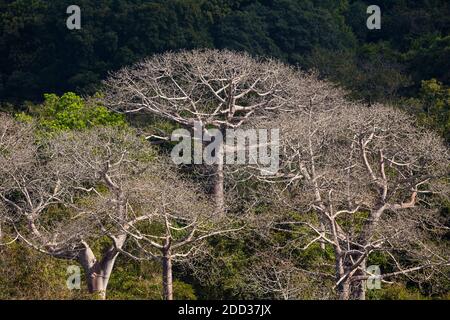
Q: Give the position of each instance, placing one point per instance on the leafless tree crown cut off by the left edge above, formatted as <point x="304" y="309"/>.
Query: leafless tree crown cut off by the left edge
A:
<point x="29" y="187"/>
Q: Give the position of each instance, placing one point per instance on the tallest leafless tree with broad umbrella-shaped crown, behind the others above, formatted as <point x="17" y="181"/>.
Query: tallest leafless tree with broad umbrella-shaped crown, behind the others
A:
<point x="219" y="89"/>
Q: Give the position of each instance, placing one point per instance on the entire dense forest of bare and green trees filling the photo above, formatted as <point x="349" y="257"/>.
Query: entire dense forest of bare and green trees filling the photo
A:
<point x="68" y="127"/>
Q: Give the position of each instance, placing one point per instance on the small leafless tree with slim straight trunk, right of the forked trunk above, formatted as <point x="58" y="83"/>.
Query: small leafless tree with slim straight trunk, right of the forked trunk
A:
<point x="172" y="219"/>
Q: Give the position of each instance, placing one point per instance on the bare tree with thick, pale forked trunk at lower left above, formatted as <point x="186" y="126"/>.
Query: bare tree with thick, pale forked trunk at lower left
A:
<point x="103" y="158"/>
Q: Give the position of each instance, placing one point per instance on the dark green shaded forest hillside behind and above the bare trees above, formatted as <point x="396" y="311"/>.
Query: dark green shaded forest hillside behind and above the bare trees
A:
<point x="40" y="55"/>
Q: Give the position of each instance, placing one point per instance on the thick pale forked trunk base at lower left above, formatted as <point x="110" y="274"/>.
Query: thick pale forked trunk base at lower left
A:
<point x="99" y="272"/>
